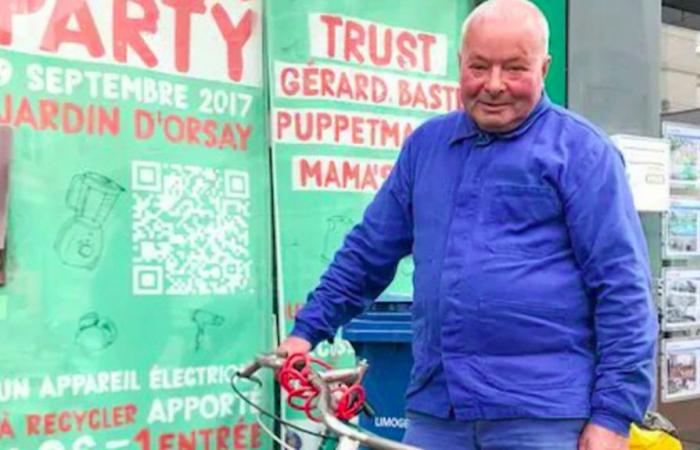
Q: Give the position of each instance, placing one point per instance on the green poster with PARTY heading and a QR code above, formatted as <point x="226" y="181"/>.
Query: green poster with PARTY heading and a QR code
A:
<point x="138" y="263"/>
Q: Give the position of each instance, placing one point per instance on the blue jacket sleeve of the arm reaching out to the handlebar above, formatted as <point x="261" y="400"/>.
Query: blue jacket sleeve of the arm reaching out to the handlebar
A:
<point x="366" y="263"/>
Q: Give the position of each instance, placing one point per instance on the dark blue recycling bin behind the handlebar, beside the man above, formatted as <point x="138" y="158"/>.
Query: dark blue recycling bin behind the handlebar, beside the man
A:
<point x="382" y="336"/>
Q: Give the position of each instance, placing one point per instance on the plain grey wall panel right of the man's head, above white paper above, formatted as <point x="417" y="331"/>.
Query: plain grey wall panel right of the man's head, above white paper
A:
<point x="613" y="72"/>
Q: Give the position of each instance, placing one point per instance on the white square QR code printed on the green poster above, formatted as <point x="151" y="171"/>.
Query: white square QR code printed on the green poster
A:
<point x="190" y="231"/>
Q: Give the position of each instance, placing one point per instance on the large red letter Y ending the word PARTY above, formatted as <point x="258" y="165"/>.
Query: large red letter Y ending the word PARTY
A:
<point x="235" y="37"/>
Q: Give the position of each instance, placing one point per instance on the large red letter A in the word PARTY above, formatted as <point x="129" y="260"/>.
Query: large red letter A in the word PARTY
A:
<point x="57" y="32"/>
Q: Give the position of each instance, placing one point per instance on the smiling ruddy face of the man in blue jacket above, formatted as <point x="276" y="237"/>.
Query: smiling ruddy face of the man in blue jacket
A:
<point x="502" y="70"/>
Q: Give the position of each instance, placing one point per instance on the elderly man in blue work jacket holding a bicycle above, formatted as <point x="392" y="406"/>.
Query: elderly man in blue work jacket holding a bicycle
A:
<point x="532" y="318"/>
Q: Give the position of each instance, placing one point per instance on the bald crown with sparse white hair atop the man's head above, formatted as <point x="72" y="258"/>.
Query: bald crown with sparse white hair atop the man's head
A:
<point x="522" y="13"/>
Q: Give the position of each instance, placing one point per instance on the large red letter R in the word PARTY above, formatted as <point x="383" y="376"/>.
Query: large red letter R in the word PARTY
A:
<point x="127" y="31"/>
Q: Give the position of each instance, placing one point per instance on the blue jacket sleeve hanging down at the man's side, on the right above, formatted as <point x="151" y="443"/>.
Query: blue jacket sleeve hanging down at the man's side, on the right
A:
<point x="609" y="245"/>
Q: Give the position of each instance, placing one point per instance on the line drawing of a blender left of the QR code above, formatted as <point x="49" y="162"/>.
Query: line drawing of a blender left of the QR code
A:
<point x="92" y="197"/>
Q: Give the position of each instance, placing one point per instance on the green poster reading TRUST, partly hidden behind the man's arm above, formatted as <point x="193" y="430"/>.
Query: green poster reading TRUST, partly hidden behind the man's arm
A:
<point x="349" y="81"/>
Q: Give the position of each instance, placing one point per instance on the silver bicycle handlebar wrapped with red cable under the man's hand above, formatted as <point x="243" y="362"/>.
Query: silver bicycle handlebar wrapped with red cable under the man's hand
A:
<point x="321" y="380"/>
